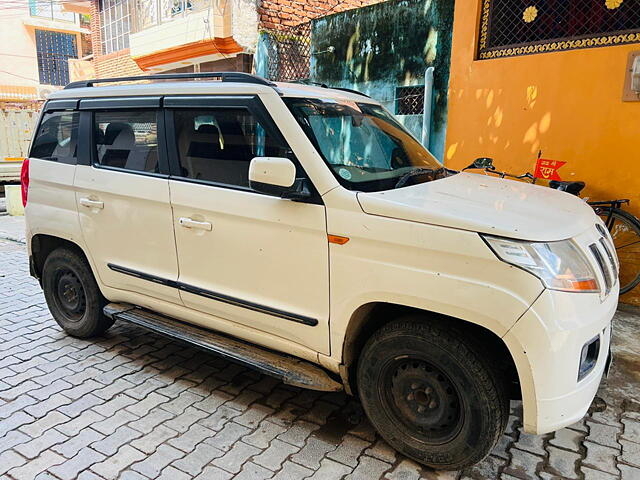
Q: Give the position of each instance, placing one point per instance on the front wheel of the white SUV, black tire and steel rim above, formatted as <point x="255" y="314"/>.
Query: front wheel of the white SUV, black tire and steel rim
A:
<point x="431" y="395"/>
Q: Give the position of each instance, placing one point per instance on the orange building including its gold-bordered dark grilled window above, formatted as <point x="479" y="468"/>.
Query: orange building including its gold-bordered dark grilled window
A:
<point x="549" y="78"/>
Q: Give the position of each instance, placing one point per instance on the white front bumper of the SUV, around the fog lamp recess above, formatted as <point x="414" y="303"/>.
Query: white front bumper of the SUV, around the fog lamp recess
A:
<point x="546" y="344"/>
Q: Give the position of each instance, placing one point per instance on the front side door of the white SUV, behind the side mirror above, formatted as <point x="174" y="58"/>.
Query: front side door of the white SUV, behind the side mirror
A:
<point x="253" y="259"/>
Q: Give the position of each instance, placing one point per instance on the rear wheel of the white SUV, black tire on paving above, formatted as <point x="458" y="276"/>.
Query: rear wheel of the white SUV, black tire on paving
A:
<point x="72" y="294"/>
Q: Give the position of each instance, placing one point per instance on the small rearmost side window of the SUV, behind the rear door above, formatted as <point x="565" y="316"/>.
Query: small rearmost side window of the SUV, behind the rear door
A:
<point x="57" y="138"/>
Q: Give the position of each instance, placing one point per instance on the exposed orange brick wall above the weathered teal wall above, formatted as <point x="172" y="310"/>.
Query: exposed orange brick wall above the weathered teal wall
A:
<point x="276" y="14"/>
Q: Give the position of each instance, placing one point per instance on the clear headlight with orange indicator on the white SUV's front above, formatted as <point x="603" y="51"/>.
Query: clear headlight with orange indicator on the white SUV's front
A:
<point x="560" y="265"/>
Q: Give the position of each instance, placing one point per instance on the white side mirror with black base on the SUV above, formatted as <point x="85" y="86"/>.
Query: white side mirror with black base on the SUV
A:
<point x="277" y="176"/>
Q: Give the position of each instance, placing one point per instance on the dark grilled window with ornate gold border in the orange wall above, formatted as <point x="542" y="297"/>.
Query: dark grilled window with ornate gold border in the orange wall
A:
<point x="521" y="27"/>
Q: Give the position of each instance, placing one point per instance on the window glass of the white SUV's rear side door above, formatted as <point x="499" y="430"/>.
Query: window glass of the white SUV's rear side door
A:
<point x="127" y="139"/>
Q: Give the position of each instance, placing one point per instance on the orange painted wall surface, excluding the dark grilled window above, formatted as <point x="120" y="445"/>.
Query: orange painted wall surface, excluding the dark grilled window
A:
<point x="567" y="104"/>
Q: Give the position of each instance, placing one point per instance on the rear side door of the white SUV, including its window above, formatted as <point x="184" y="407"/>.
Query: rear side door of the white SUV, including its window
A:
<point x="122" y="193"/>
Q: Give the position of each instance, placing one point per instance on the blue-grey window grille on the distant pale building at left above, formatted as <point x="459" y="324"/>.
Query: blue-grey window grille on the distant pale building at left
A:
<point x="54" y="49"/>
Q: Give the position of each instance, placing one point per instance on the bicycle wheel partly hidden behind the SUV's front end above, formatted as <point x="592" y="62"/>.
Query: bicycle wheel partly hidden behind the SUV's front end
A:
<point x="625" y="231"/>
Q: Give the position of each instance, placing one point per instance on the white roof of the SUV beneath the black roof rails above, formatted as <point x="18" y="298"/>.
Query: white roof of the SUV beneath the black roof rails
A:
<point x="201" y="87"/>
